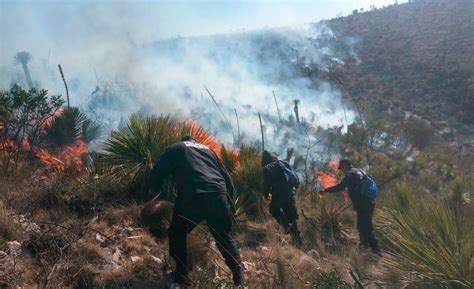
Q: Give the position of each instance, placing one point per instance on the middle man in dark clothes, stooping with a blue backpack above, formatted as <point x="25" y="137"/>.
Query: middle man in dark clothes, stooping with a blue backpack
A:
<point x="282" y="205"/>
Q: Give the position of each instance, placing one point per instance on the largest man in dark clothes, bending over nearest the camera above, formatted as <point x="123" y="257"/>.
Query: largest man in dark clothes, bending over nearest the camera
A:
<point x="204" y="187"/>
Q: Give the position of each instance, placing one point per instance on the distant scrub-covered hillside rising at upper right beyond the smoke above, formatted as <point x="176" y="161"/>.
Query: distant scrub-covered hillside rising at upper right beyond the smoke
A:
<point x="418" y="57"/>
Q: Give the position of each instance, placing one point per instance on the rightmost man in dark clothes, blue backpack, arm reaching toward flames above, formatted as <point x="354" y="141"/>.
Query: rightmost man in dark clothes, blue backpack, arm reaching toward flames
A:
<point x="363" y="205"/>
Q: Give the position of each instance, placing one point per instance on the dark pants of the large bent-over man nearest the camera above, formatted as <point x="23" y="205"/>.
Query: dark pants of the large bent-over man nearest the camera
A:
<point x="214" y="208"/>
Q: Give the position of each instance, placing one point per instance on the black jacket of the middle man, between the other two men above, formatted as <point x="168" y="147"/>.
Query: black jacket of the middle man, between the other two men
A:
<point x="274" y="180"/>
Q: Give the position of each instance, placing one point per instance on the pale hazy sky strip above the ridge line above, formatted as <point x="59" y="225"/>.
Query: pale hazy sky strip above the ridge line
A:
<point x="51" y="25"/>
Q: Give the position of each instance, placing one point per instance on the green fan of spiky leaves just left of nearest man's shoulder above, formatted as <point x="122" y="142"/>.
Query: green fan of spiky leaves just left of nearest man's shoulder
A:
<point x="133" y="149"/>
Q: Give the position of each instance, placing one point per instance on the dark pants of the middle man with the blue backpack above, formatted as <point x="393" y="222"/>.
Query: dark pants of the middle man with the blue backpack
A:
<point x="284" y="212"/>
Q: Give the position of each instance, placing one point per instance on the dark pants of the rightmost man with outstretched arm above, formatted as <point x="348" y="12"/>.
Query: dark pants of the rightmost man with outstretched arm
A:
<point x="365" y="213"/>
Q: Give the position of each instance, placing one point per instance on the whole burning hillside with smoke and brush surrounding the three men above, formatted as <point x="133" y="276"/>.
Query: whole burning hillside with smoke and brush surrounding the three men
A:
<point x="74" y="202"/>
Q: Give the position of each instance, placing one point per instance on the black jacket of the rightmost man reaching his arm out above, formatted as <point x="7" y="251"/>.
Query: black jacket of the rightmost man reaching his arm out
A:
<point x="352" y="181"/>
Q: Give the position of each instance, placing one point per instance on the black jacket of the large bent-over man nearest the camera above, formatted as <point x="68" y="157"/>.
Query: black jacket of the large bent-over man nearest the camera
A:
<point x="196" y="170"/>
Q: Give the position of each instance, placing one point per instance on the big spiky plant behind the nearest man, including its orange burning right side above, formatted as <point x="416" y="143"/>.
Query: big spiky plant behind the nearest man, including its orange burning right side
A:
<point x="133" y="149"/>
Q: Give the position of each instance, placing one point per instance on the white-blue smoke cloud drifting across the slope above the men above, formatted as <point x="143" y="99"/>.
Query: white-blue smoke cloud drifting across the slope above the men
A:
<point x="115" y="77"/>
